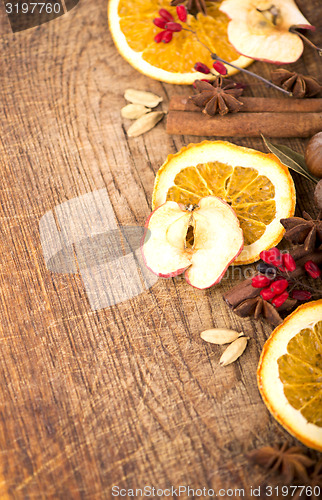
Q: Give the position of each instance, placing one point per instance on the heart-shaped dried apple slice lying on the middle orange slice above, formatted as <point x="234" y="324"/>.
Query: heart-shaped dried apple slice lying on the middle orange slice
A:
<point x="201" y="241"/>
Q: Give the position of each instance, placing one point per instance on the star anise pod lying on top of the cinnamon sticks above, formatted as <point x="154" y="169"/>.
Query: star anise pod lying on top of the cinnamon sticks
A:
<point x="219" y="97"/>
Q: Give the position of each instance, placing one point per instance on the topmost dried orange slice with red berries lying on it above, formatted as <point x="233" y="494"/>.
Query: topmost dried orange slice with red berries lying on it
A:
<point x="133" y="32"/>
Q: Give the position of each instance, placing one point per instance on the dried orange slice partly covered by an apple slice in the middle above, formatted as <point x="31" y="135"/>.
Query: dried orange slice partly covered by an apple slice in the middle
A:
<point x="256" y="185"/>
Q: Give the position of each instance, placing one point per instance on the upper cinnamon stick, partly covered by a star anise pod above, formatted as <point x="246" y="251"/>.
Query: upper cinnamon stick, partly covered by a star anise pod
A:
<point x="256" y="104"/>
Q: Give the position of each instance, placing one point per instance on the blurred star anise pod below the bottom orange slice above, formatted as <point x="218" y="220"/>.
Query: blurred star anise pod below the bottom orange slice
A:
<point x="290" y="462"/>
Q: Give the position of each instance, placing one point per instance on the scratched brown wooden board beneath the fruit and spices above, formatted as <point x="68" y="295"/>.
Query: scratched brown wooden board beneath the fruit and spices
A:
<point x="128" y="395"/>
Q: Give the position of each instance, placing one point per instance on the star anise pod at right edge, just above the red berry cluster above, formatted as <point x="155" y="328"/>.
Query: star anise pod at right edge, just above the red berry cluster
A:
<point x="306" y="231"/>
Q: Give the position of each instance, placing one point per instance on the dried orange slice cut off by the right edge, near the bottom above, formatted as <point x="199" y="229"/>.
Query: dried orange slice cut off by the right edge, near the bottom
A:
<point x="290" y="374"/>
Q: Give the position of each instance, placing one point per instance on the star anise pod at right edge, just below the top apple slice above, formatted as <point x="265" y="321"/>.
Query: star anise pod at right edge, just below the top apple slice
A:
<point x="299" y="85"/>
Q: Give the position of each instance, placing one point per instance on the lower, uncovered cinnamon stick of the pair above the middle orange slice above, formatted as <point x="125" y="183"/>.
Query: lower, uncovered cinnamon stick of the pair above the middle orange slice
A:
<point x="284" y="124"/>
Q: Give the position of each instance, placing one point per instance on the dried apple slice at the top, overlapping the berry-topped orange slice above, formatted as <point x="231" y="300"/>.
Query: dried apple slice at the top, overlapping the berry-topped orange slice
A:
<point x="260" y="29"/>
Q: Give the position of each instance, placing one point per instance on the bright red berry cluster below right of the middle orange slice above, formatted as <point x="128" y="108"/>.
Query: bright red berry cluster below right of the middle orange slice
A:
<point x="274" y="277"/>
